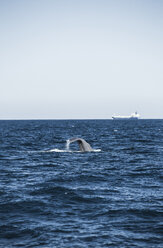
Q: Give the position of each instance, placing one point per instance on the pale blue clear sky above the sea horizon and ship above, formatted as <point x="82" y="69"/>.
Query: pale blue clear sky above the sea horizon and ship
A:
<point x="81" y="59"/>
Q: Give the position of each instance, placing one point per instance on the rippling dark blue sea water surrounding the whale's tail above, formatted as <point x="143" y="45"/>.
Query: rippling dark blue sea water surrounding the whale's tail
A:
<point x="51" y="197"/>
